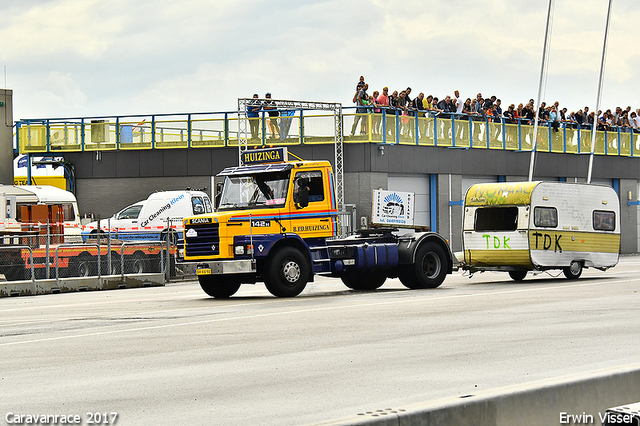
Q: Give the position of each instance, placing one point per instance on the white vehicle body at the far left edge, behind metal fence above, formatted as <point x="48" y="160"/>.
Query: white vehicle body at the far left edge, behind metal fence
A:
<point x="17" y="196"/>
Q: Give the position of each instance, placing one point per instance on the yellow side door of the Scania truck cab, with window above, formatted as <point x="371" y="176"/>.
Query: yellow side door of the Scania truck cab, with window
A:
<point x="315" y="219"/>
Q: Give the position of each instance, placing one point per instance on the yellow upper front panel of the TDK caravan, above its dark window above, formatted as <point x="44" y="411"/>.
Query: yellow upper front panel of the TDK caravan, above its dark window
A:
<point x="483" y="194"/>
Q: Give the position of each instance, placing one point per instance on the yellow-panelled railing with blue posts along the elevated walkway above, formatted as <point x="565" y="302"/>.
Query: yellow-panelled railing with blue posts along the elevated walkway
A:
<point x="220" y="129"/>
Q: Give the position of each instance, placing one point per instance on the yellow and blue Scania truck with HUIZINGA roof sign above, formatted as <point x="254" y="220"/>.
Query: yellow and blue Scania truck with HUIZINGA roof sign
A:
<point x="277" y="222"/>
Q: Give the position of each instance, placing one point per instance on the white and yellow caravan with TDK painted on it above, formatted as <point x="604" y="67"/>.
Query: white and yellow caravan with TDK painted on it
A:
<point x="535" y="226"/>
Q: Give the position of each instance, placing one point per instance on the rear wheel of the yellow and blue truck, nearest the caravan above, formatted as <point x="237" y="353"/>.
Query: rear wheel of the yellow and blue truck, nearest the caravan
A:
<point x="428" y="271"/>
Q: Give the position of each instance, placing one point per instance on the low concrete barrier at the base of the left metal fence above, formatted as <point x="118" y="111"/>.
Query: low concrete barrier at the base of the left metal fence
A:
<point x="65" y="285"/>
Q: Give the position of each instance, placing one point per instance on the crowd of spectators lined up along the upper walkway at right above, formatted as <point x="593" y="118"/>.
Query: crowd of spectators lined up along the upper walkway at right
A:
<point x="488" y="109"/>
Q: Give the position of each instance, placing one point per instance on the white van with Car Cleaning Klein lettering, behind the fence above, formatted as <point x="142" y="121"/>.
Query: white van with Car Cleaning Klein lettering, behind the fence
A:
<point x="148" y="219"/>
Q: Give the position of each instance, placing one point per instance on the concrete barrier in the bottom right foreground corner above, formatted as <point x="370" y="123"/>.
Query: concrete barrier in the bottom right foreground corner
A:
<point x="580" y="399"/>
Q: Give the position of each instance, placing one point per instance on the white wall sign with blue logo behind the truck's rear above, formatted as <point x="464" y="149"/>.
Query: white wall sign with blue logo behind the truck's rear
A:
<point x="393" y="208"/>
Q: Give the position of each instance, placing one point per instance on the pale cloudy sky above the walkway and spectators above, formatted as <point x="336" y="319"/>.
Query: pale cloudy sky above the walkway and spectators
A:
<point x="82" y="58"/>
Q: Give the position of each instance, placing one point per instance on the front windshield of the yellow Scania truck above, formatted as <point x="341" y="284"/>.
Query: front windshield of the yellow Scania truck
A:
<point x="265" y="190"/>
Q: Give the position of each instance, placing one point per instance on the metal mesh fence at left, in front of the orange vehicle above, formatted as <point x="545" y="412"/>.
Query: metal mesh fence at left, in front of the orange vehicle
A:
<point x="44" y="256"/>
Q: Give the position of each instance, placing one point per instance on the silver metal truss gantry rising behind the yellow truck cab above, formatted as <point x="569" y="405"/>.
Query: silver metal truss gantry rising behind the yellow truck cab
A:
<point x="243" y="124"/>
